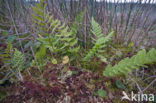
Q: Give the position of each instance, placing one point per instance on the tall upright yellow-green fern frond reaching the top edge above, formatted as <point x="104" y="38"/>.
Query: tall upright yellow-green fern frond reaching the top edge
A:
<point x="44" y="22"/>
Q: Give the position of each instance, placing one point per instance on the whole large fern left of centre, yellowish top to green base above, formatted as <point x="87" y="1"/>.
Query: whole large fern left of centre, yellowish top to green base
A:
<point x="56" y="37"/>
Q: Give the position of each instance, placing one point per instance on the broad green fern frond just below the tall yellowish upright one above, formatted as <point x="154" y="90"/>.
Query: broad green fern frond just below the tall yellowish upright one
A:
<point x="63" y="41"/>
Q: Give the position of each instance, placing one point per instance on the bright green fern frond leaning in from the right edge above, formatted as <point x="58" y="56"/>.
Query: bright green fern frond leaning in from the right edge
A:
<point x="129" y="64"/>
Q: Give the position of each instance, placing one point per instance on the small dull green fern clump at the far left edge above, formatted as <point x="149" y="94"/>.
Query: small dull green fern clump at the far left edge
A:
<point x="13" y="63"/>
